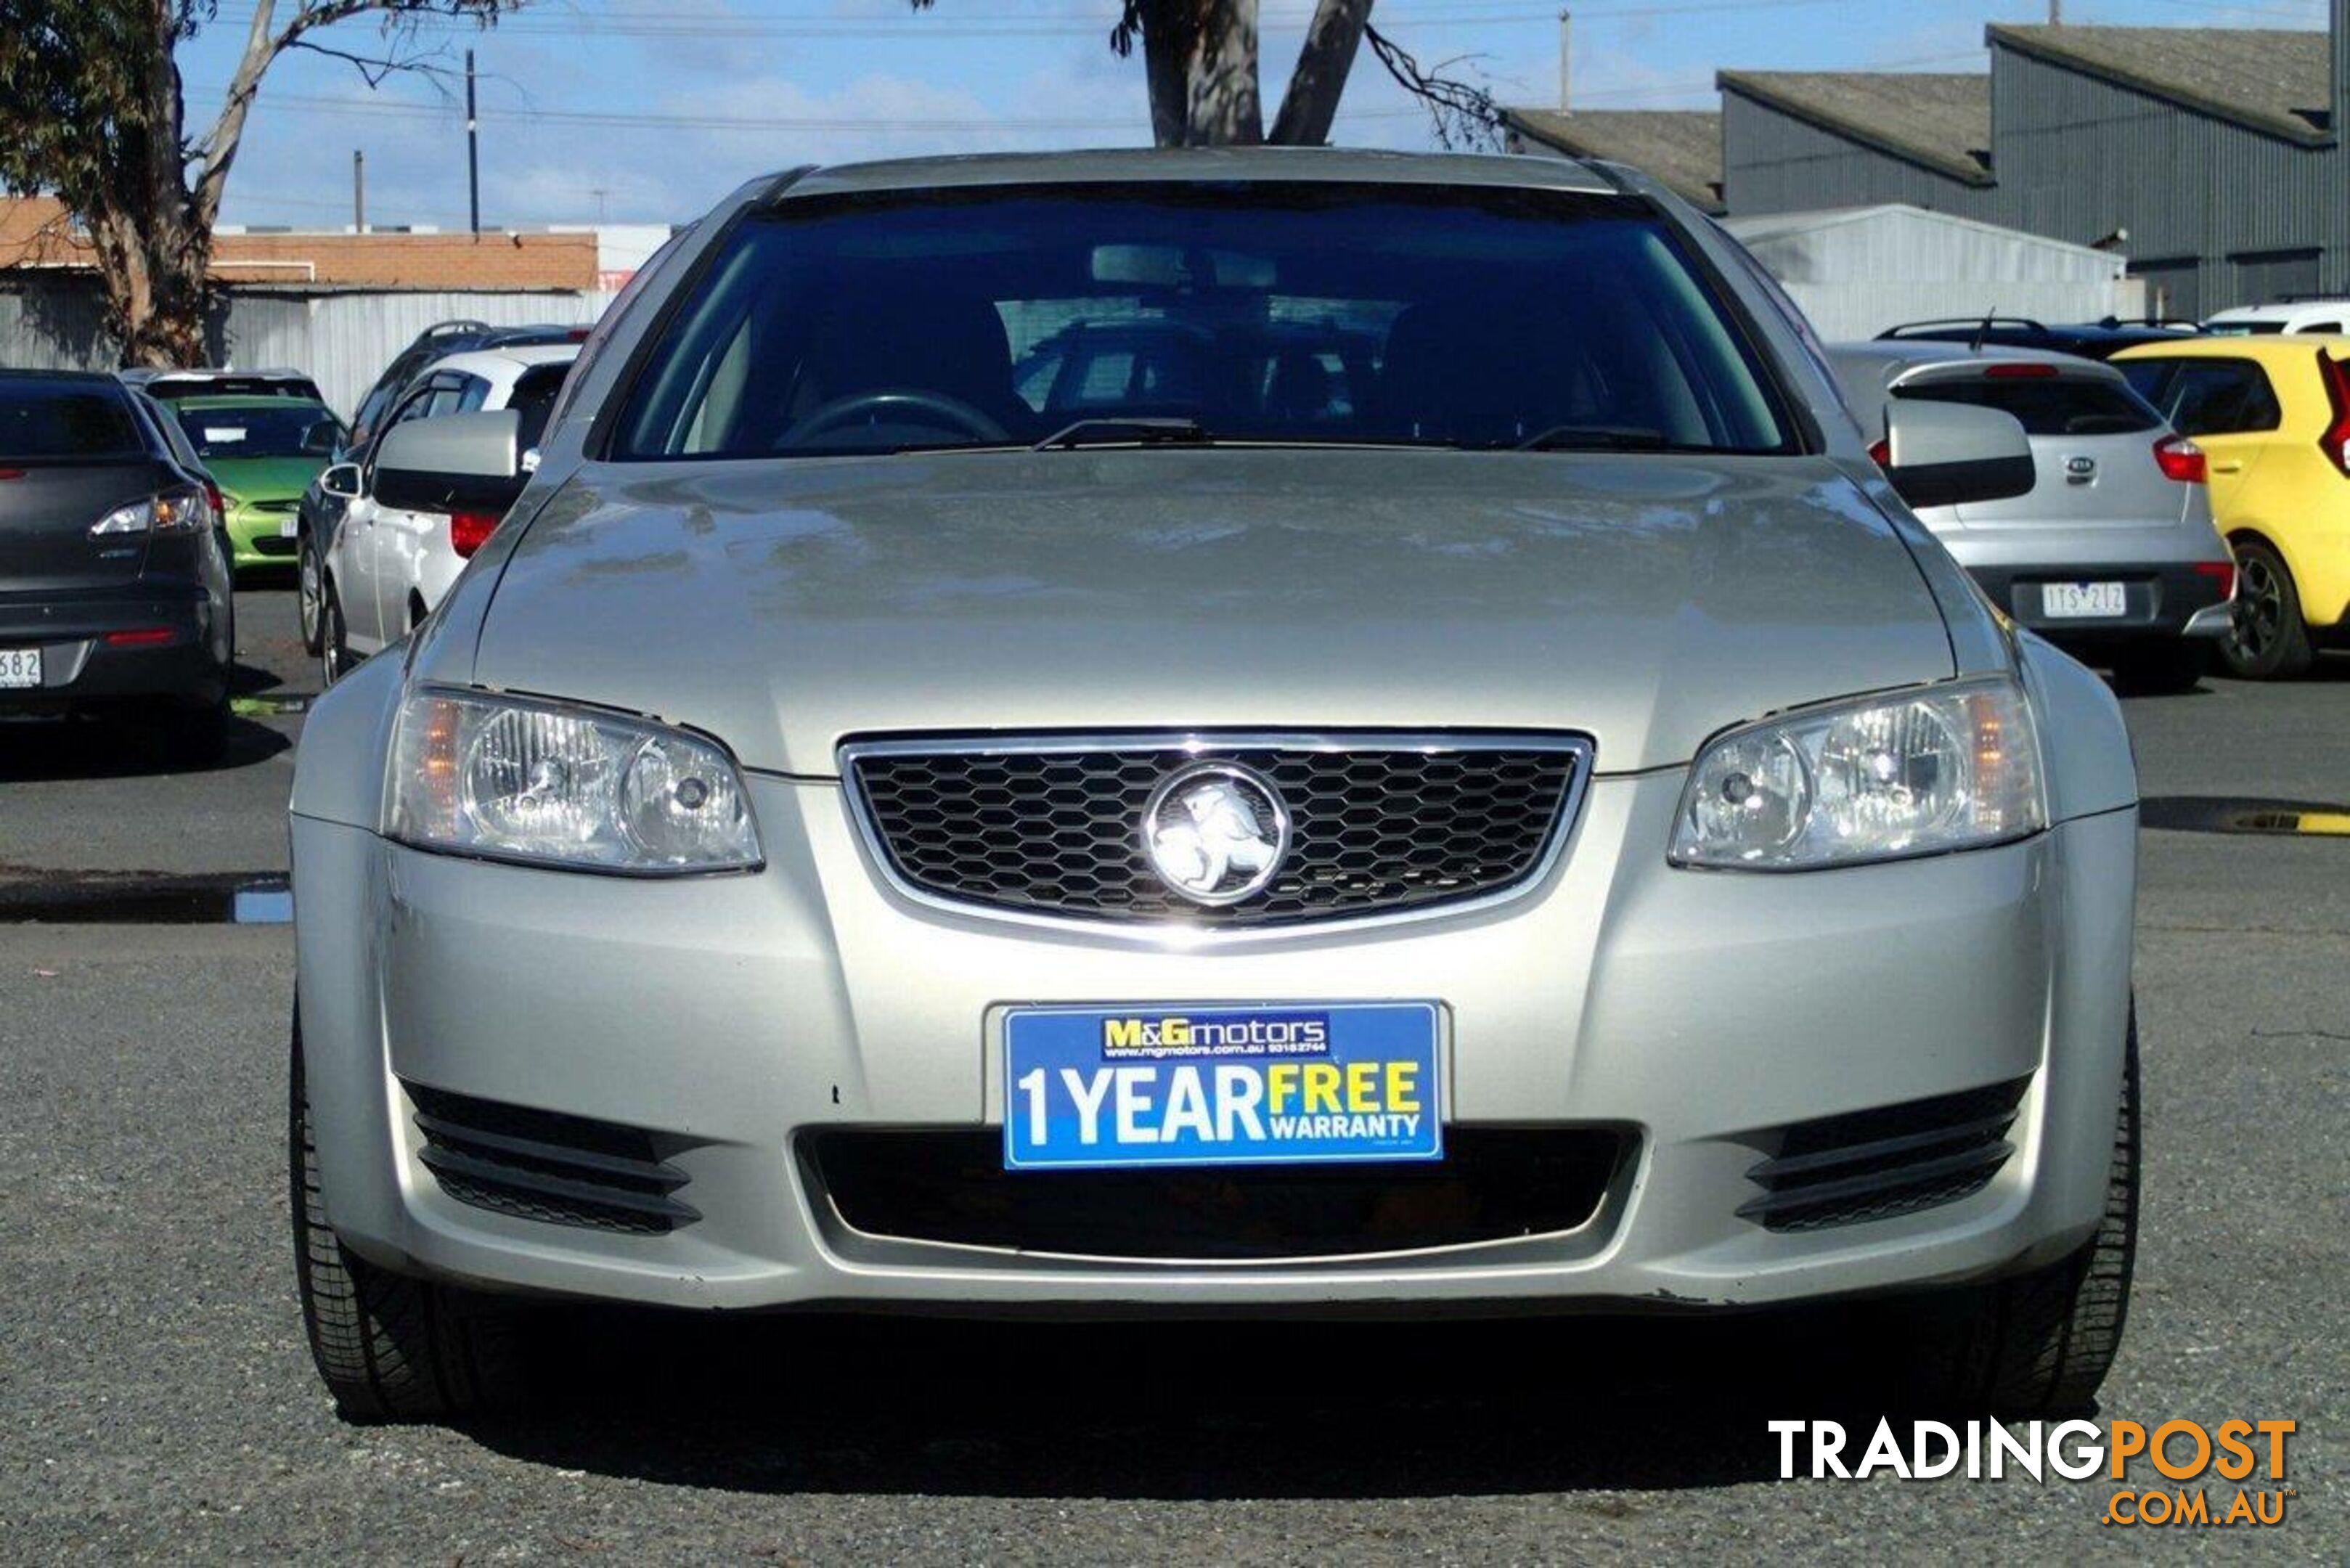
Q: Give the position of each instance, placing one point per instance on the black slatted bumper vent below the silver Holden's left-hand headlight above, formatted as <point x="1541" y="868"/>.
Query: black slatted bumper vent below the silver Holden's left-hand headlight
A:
<point x="551" y="1167"/>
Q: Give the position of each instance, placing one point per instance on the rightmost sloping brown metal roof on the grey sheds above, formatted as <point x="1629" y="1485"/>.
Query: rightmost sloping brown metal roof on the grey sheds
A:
<point x="2269" y="79"/>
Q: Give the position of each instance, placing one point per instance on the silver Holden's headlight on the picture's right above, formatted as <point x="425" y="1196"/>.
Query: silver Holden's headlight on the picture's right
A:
<point x="1874" y="779"/>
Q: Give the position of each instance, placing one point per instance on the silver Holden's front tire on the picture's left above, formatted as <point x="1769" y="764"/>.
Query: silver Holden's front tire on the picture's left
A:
<point x="387" y="1346"/>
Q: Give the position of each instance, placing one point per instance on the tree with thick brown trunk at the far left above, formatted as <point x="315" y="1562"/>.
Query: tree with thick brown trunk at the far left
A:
<point x="93" y="112"/>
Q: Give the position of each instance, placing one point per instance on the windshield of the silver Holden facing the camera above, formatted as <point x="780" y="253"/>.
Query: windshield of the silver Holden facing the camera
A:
<point x="1308" y="314"/>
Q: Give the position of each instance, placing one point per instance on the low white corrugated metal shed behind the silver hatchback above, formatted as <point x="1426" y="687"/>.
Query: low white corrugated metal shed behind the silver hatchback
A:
<point x="1862" y="269"/>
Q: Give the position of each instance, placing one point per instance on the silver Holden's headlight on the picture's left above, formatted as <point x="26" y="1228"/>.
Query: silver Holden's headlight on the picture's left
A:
<point x="565" y="786"/>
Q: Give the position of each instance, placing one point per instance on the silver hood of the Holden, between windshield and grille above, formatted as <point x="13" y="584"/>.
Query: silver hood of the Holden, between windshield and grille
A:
<point x="788" y="605"/>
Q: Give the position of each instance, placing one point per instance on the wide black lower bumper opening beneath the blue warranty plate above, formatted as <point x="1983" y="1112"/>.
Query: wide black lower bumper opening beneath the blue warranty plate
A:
<point x="953" y="1188"/>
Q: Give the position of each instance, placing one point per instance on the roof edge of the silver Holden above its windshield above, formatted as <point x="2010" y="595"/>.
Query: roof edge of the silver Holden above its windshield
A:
<point x="1129" y="166"/>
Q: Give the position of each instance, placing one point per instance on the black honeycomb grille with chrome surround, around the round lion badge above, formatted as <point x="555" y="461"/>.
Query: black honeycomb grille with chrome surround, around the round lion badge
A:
<point x="1381" y="824"/>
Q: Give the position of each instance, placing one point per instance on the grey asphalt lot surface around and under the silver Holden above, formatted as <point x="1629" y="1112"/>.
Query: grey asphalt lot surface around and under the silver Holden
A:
<point x="156" y="1398"/>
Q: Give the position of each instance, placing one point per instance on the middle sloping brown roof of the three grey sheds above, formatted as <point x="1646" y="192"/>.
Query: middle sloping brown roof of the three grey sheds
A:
<point x="1938" y="121"/>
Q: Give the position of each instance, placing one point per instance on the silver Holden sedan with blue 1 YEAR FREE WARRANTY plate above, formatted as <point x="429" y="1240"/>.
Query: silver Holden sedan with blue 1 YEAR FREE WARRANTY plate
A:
<point x="1562" y="836"/>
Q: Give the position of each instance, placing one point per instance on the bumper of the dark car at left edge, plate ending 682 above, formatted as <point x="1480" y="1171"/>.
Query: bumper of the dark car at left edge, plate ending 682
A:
<point x="81" y="666"/>
